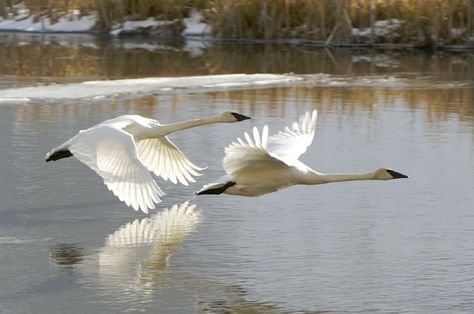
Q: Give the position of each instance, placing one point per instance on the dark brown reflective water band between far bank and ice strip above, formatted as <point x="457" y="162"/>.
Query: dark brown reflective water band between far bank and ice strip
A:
<point x="79" y="57"/>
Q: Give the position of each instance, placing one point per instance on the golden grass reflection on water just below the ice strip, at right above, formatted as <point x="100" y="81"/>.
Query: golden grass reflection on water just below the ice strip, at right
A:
<point x="437" y="104"/>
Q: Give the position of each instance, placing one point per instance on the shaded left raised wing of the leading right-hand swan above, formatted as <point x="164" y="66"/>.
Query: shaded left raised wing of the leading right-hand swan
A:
<point x="249" y="156"/>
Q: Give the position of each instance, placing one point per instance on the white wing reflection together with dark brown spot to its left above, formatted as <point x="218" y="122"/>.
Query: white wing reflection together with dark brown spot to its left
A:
<point x="136" y="256"/>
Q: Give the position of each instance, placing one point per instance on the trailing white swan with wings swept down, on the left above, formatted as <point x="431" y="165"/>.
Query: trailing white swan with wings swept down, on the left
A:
<point x="123" y="150"/>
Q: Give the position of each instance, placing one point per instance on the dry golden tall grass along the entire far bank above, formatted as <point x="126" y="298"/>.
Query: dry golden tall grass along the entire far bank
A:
<point x="422" y="22"/>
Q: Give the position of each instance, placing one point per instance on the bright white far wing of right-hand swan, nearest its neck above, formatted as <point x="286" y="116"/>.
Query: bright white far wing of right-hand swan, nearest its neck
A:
<point x="289" y="144"/>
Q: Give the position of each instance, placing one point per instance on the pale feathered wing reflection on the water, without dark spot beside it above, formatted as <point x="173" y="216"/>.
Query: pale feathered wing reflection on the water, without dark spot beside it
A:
<point x="141" y="249"/>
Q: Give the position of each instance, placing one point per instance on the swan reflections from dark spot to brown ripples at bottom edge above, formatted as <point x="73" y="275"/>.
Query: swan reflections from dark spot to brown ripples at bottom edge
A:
<point x="133" y="266"/>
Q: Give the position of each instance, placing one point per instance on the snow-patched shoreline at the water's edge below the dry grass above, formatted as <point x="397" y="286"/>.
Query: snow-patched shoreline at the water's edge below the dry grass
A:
<point x="384" y="34"/>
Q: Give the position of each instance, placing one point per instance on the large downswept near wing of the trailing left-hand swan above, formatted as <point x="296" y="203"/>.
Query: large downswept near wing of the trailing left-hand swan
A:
<point x="112" y="154"/>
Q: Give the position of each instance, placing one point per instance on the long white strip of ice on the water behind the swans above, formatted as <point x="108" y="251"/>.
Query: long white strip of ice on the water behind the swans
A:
<point x="144" y="86"/>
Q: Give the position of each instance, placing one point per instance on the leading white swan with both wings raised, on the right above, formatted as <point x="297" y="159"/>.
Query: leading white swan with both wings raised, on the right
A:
<point x="266" y="164"/>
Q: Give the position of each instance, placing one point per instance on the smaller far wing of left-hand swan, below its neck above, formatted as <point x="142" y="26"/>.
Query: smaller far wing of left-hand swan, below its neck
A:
<point x="166" y="160"/>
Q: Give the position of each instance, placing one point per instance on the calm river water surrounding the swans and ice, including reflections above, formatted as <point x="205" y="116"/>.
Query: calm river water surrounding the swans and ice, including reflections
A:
<point x="67" y="245"/>
